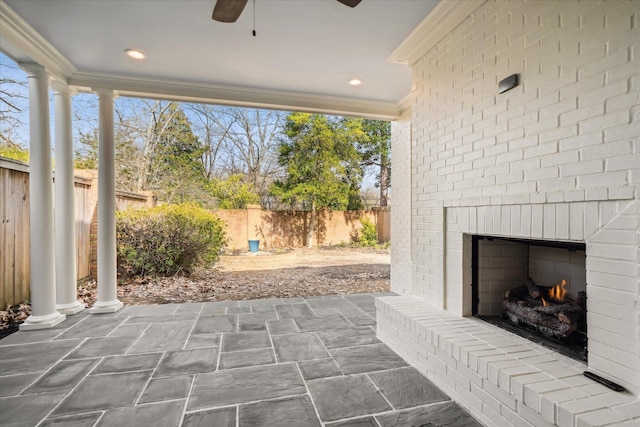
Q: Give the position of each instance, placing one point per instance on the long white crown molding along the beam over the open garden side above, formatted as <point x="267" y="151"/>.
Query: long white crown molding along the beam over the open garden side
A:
<point x="233" y="95"/>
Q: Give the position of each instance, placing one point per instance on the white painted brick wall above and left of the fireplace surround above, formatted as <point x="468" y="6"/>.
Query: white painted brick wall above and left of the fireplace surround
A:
<point x="568" y="133"/>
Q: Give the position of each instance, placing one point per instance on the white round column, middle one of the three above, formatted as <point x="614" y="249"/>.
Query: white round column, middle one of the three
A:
<point x="65" y="222"/>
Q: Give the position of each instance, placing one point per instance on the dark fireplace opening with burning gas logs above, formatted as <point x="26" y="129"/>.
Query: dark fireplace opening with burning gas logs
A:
<point x="533" y="288"/>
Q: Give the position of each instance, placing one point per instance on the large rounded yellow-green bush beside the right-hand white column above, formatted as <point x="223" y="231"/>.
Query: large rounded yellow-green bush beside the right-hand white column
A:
<point x="168" y="239"/>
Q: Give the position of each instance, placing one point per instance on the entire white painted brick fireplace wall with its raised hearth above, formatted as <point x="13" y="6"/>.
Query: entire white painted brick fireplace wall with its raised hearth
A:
<point x="555" y="159"/>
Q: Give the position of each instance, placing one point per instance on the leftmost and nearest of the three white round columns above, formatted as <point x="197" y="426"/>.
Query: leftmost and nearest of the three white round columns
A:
<point x="41" y="241"/>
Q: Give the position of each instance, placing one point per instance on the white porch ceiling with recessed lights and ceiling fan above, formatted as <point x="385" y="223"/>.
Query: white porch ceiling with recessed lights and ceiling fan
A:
<point x="305" y="50"/>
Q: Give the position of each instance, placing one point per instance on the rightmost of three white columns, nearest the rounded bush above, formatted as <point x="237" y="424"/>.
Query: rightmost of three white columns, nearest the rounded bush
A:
<point x="107" y="293"/>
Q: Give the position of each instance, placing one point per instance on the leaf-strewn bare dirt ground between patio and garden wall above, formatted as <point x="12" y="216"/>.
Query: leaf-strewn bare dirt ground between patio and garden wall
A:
<point x="275" y="274"/>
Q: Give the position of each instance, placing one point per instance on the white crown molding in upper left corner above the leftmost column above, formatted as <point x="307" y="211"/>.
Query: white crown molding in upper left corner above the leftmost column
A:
<point x="21" y="42"/>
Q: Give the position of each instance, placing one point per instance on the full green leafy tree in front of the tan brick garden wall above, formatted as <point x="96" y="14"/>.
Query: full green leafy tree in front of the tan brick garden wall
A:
<point x="321" y="164"/>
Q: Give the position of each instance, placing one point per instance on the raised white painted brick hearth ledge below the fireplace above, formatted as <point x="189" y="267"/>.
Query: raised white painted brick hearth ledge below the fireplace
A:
<point x="501" y="378"/>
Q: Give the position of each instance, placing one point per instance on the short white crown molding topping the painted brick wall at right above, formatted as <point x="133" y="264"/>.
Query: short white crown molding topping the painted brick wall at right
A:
<point x="447" y="15"/>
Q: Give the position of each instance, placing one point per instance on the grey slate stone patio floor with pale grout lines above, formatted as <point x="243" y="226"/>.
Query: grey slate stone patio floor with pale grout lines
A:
<point x="279" y="362"/>
